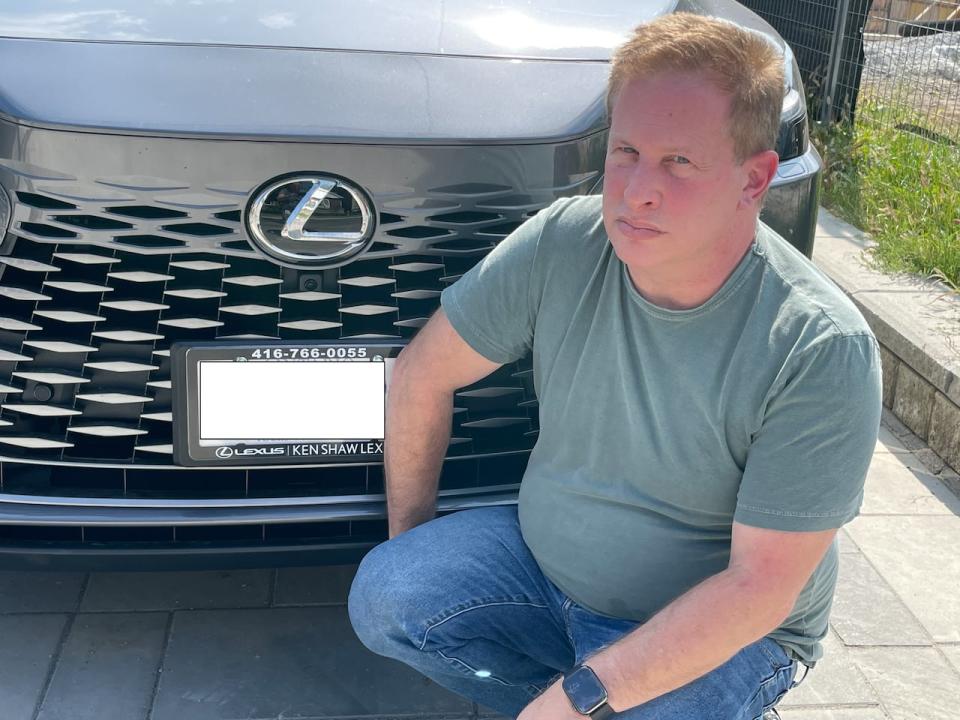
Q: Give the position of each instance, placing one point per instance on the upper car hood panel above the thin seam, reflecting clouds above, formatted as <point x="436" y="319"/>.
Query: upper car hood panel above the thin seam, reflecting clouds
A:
<point x="561" y="29"/>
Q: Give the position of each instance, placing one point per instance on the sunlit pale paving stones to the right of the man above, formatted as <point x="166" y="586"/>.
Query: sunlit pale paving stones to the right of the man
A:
<point x="894" y="645"/>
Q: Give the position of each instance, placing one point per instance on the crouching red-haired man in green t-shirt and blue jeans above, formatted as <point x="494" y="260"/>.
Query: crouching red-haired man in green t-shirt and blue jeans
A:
<point x="709" y="403"/>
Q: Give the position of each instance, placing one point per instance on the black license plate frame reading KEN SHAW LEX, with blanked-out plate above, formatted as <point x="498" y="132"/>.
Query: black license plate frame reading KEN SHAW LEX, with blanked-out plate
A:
<point x="205" y="373"/>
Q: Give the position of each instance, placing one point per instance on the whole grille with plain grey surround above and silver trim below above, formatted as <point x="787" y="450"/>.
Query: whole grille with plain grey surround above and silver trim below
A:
<point x="100" y="272"/>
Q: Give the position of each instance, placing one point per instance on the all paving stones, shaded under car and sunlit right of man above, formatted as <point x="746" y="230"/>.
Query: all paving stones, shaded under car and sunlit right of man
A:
<point x="272" y="644"/>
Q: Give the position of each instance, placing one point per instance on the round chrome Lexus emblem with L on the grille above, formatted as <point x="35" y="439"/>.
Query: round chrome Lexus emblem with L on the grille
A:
<point x="310" y="220"/>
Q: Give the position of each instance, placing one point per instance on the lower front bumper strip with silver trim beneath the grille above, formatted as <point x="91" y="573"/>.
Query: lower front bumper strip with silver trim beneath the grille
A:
<point x="115" y="534"/>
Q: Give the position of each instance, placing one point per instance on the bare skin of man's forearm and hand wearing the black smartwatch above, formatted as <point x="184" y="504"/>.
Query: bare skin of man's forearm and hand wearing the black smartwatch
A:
<point x="704" y="627"/>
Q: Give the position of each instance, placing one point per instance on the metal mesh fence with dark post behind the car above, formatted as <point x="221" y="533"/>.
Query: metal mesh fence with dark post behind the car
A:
<point x="898" y="59"/>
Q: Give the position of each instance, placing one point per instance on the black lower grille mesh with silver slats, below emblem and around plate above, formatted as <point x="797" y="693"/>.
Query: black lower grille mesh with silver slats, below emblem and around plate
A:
<point x="85" y="335"/>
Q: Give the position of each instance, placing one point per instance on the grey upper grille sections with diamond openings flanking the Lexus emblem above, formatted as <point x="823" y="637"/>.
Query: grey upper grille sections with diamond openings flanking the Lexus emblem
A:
<point x="162" y="219"/>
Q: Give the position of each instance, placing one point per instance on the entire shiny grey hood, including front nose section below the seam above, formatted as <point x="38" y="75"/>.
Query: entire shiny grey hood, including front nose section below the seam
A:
<point x="364" y="71"/>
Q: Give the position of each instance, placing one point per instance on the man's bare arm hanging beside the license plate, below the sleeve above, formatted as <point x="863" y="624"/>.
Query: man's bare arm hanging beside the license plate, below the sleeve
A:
<point x="430" y="369"/>
